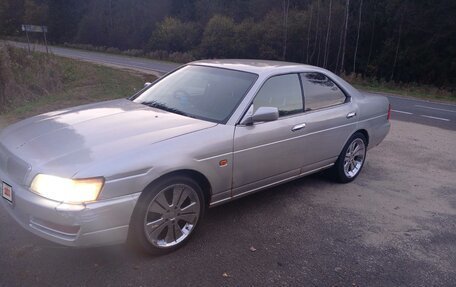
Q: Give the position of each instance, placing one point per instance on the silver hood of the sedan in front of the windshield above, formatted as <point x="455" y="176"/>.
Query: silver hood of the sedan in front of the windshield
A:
<point x="65" y="141"/>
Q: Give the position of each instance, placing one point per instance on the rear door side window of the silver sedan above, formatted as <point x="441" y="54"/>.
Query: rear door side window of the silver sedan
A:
<point x="320" y="91"/>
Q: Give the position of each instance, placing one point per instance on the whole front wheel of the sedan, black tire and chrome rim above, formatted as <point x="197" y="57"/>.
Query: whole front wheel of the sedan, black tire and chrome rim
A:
<point x="166" y="215"/>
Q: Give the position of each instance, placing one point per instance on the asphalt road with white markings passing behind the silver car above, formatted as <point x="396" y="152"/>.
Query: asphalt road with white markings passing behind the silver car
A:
<point x="406" y="109"/>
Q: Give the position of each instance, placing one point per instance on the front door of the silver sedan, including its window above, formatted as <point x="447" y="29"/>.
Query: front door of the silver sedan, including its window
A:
<point x="268" y="152"/>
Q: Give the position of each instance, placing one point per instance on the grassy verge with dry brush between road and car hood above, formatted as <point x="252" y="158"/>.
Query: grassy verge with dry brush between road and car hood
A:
<point x="39" y="83"/>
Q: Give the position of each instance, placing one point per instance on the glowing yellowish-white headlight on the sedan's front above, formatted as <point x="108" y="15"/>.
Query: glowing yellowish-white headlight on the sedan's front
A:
<point x="67" y="190"/>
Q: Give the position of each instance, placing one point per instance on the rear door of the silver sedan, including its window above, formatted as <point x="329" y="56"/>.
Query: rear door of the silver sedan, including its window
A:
<point x="330" y="117"/>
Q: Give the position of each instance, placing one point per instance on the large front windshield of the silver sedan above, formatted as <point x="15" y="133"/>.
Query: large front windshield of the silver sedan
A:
<point x="201" y="92"/>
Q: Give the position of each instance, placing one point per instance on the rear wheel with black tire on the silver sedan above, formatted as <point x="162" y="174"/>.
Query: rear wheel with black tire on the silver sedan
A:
<point x="351" y="159"/>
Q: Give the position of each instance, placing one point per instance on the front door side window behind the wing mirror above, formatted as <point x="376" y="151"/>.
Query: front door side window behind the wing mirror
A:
<point x="282" y="92"/>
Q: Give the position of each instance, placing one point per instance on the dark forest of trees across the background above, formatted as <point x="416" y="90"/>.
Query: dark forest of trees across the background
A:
<point x="404" y="41"/>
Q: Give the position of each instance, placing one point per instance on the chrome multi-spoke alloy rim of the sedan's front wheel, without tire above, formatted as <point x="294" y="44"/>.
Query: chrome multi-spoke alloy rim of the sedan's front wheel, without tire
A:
<point x="172" y="215"/>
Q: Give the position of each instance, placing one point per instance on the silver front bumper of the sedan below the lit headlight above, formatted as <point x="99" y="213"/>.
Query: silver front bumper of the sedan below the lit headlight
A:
<point x="100" y="223"/>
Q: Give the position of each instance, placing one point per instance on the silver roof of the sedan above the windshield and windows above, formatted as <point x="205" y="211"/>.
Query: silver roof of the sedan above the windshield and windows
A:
<point x="260" y="67"/>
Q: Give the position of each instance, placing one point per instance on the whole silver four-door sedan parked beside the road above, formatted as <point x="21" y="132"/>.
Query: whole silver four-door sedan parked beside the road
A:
<point x="146" y="168"/>
